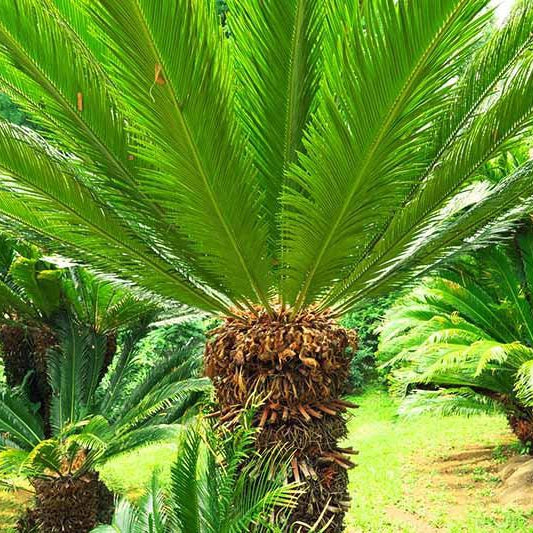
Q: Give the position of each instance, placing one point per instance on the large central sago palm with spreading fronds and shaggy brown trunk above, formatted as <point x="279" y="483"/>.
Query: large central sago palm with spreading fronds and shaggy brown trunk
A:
<point x="274" y="172"/>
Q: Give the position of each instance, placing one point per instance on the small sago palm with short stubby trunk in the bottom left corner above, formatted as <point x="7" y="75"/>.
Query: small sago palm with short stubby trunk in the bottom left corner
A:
<point x="91" y="422"/>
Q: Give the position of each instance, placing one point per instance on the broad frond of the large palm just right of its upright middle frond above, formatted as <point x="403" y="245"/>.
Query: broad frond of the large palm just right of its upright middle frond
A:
<point x="358" y="158"/>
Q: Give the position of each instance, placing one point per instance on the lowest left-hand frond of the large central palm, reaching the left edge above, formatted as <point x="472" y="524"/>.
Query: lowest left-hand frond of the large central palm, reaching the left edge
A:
<point x="41" y="193"/>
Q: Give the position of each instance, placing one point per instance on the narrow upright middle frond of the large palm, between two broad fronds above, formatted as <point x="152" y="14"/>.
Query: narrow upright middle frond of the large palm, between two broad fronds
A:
<point x="277" y="48"/>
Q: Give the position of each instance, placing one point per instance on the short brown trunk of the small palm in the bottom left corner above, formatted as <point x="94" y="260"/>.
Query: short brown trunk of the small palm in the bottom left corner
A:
<point x="68" y="505"/>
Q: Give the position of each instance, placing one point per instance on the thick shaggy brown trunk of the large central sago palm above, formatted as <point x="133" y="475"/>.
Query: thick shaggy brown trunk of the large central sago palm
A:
<point x="299" y="368"/>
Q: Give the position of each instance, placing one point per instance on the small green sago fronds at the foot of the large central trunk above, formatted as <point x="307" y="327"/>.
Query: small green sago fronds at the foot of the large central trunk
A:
<point x="218" y="483"/>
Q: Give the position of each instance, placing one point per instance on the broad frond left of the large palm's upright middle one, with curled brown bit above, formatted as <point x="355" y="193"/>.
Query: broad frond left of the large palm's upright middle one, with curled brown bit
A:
<point x="196" y="167"/>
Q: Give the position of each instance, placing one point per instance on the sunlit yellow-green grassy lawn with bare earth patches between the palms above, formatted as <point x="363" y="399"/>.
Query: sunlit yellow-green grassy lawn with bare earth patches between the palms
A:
<point x="418" y="476"/>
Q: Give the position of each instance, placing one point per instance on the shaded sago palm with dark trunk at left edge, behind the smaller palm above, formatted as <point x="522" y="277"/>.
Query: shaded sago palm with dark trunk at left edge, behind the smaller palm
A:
<point x="35" y="296"/>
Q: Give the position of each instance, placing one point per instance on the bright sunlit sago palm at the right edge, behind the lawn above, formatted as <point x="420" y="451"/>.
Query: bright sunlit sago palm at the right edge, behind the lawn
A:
<point x="462" y="342"/>
